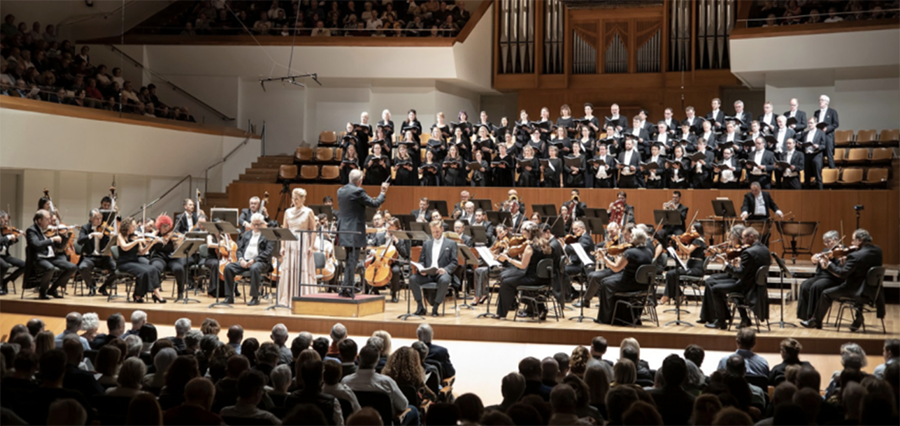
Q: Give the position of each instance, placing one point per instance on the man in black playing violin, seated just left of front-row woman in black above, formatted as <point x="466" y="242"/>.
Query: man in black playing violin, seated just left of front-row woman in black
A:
<point x="92" y="241"/>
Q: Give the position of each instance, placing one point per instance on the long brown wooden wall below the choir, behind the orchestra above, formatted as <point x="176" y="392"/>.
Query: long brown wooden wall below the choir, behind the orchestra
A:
<point x="829" y="208"/>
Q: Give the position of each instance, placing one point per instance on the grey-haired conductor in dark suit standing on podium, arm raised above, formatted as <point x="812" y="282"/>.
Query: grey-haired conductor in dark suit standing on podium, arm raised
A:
<point x="353" y="201"/>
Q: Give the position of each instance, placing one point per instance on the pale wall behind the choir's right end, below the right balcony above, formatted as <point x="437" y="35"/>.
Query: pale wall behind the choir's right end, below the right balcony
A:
<point x="861" y="104"/>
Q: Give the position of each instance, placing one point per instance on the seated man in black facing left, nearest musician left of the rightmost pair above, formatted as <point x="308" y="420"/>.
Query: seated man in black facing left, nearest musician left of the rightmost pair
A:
<point x="752" y="258"/>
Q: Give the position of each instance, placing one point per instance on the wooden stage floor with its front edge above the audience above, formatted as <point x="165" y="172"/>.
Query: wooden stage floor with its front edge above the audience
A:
<point x="466" y="327"/>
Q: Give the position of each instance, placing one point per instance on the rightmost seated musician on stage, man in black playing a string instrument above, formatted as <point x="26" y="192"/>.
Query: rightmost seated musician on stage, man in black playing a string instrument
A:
<point x="853" y="273"/>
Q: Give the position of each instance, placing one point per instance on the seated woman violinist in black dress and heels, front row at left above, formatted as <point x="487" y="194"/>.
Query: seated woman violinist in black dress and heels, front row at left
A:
<point x="130" y="248"/>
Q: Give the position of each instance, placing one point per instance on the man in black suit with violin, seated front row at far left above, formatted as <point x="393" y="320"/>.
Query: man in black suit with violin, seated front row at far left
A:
<point x="41" y="258"/>
